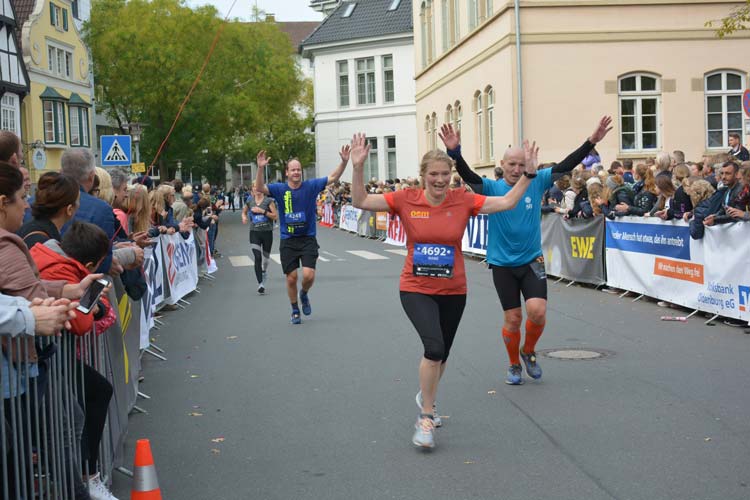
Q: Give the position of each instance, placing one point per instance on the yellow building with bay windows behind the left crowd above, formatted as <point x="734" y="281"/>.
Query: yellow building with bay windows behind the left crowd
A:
<point x="56" y="113"/>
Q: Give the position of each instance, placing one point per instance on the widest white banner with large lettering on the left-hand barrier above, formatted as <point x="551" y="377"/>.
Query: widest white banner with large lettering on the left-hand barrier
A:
<point x="180" y="261"/>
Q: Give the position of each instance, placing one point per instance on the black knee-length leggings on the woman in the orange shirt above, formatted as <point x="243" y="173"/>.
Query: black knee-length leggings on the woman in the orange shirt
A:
<point x="436" y="319"/>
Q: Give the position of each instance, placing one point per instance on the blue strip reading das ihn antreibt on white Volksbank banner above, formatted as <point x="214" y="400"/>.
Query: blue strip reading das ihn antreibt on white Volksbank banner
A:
<point x="655" y="239"/>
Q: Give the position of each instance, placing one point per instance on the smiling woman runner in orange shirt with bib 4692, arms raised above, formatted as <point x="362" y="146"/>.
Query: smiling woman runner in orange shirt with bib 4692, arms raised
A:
<point x="433" y="280"/>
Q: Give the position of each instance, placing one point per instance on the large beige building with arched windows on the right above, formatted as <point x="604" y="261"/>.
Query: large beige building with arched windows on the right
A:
<point x="666" y="79"/>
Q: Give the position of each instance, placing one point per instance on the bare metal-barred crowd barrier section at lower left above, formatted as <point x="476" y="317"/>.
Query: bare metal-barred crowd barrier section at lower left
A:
<point x="43" y="417"/>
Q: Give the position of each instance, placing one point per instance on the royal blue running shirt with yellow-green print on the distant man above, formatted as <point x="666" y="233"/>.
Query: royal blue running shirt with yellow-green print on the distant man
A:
<point x="297" y="210"/>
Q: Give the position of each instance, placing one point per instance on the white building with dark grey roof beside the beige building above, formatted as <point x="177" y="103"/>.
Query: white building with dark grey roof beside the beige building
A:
<point x="363" y="63"/>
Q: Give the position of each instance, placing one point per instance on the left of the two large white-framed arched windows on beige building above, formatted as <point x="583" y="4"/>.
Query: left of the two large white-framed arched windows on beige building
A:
<point x="639" y="95"/>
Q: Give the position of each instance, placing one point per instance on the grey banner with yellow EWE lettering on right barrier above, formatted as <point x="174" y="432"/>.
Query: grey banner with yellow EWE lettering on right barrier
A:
<point x="574" y="249"/>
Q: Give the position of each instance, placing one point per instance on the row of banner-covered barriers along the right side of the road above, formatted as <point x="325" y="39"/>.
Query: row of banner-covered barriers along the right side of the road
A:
<point x="649" y="257"/>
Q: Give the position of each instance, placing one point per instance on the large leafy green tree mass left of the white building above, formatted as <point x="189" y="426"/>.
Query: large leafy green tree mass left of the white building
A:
<point x="146" y="56"/>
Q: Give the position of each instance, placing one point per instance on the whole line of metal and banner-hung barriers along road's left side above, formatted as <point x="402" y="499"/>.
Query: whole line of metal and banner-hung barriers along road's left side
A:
<point x="50" y="406"/>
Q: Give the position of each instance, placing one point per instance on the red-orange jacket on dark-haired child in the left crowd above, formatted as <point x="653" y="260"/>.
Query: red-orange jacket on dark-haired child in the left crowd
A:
<point x="54" y="265"/>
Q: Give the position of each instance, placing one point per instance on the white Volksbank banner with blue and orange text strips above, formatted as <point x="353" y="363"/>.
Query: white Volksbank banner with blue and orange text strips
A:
<point x="659" y="259"/>
